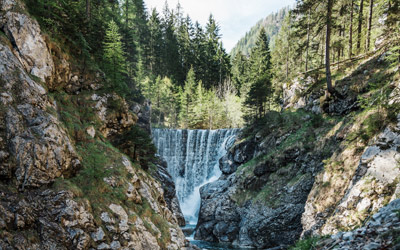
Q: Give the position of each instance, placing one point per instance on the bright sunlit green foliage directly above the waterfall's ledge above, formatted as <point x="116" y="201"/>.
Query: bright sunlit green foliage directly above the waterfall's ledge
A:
<point x="192" y="106"/>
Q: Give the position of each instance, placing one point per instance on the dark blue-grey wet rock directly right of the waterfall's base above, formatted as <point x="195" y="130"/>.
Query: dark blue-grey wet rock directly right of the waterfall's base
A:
<point x="225" y="217"/>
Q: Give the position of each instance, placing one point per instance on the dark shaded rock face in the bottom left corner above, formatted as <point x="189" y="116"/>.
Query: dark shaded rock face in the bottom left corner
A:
<point x="62" y="222"/>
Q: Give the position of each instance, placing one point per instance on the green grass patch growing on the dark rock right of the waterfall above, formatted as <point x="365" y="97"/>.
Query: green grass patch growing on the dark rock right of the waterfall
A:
<point x="297" y="132"/>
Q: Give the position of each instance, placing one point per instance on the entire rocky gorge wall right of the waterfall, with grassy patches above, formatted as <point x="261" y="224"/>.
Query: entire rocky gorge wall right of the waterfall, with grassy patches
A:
<point x="321" y="167"/>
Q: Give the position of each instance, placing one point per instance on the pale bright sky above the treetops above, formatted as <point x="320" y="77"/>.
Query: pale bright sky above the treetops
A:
<point x="235" y="17"/>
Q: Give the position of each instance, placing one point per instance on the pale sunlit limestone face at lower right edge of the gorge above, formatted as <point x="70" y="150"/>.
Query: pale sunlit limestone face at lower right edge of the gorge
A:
<point x="374" y="183"/>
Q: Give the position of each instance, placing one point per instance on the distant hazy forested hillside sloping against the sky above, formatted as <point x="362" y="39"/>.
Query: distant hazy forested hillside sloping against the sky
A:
<point x="272" y="24"/>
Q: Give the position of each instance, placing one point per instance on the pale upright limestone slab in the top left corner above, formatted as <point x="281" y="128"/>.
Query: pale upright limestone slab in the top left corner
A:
<point x="25" y="35"/>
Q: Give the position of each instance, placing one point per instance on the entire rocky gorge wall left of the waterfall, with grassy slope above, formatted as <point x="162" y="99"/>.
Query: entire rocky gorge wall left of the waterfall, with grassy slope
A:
<point x="63" y="185"/>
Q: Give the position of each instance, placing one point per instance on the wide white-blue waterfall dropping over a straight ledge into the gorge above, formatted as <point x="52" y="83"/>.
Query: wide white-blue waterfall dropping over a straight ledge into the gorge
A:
<point x="193" y="160"/>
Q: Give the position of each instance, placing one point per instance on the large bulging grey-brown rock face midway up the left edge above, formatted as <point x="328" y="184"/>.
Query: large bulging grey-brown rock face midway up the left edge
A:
<point x="31" y="138"/>
